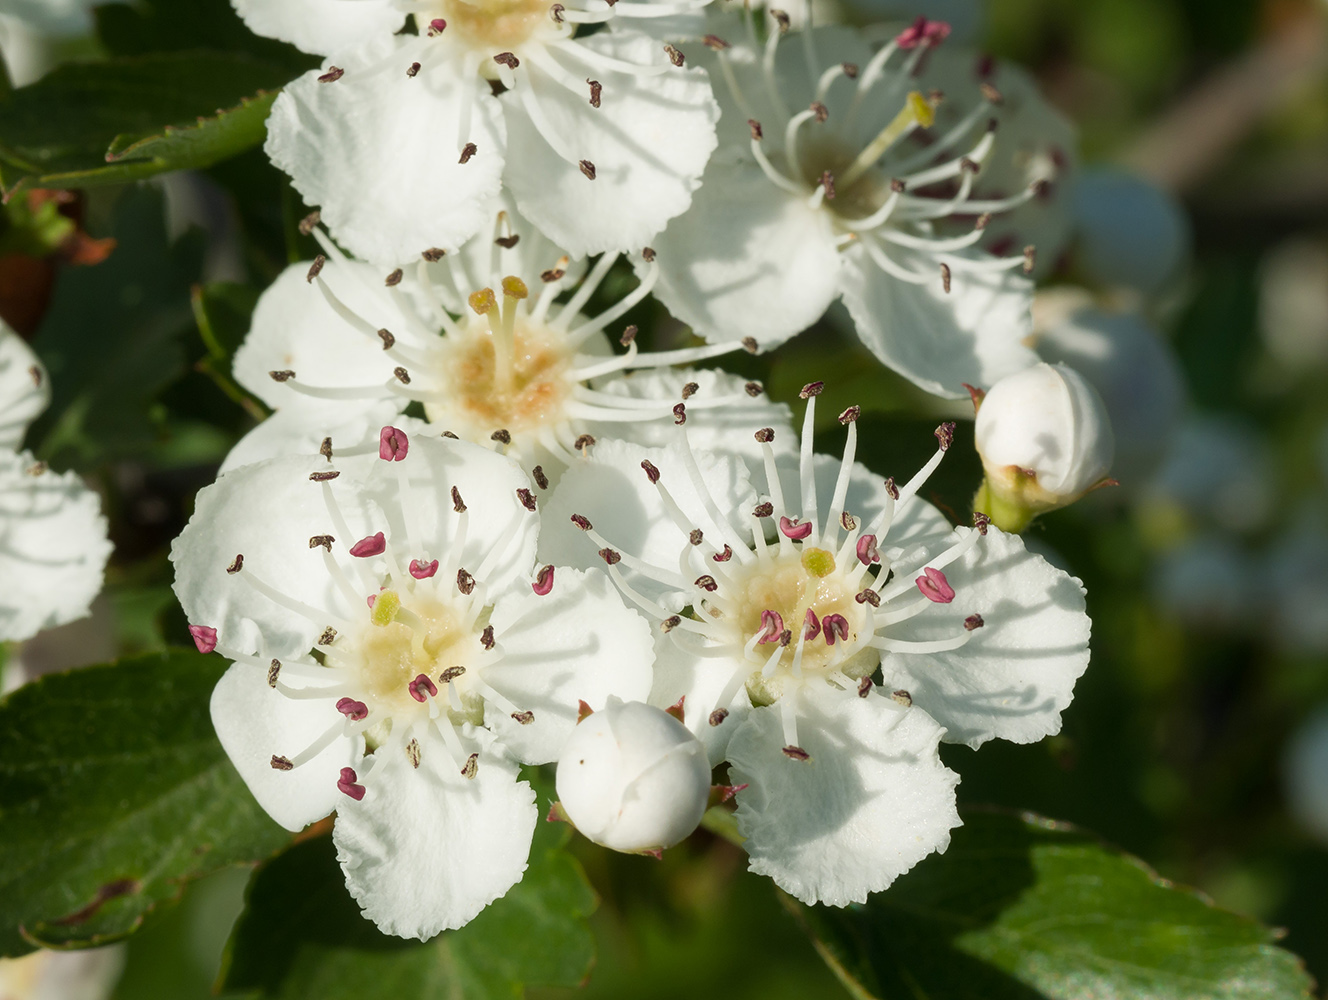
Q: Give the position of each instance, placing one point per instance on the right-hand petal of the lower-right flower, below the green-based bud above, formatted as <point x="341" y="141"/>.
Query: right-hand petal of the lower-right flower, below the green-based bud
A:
<point x="1018" y="674"/>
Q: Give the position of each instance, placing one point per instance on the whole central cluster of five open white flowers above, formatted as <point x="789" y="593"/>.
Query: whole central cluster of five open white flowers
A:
<point x="485" y="529"/>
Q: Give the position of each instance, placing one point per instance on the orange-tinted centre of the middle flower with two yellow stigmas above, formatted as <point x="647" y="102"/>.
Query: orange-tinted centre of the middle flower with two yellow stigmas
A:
<point x="495" y="379"/>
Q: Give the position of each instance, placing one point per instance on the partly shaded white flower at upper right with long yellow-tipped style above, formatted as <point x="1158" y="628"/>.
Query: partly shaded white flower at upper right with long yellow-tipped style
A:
<point x="912" y="181"/>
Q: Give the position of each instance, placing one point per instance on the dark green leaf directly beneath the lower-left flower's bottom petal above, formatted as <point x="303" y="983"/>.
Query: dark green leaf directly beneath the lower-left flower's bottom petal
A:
<point x="302" y="936"/>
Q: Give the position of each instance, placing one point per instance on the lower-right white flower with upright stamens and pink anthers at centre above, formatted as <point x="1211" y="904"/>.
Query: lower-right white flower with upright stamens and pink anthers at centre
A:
<point x="776" y="613"/>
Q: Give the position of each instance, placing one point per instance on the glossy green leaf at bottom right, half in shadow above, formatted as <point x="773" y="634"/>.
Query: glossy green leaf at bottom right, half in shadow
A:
<point x="1029" y="909"/>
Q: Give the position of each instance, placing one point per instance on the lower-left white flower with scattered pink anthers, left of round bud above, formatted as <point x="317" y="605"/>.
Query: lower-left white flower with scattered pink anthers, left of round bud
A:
<point x="396" y="653"/>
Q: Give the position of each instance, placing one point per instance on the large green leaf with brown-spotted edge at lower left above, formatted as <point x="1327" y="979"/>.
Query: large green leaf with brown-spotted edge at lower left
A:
<point x="115" y="791"/>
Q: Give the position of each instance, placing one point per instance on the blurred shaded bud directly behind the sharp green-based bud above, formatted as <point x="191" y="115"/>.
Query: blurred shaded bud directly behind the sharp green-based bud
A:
<point x="1133" y="370"/>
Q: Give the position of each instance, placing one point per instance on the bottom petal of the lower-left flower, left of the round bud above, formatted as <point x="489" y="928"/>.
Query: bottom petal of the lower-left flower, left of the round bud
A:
<point x="426" y="849"/>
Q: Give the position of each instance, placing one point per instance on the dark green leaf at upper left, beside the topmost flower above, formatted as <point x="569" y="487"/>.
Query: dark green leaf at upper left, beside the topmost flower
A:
<point x="127" y="119"/>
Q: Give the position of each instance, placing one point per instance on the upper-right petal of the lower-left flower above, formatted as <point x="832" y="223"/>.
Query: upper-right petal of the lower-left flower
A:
<point x="501" y="535"/>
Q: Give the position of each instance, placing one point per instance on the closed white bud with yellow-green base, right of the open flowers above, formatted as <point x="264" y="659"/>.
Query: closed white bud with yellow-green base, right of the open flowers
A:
<point x="1044" y="439"/>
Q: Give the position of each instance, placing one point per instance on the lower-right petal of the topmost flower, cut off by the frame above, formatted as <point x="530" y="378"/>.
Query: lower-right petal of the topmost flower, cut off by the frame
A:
<point x="649" y="143"/>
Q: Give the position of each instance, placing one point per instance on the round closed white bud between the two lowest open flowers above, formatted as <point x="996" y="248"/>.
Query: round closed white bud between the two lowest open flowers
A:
<point x="631" y="778"/>
